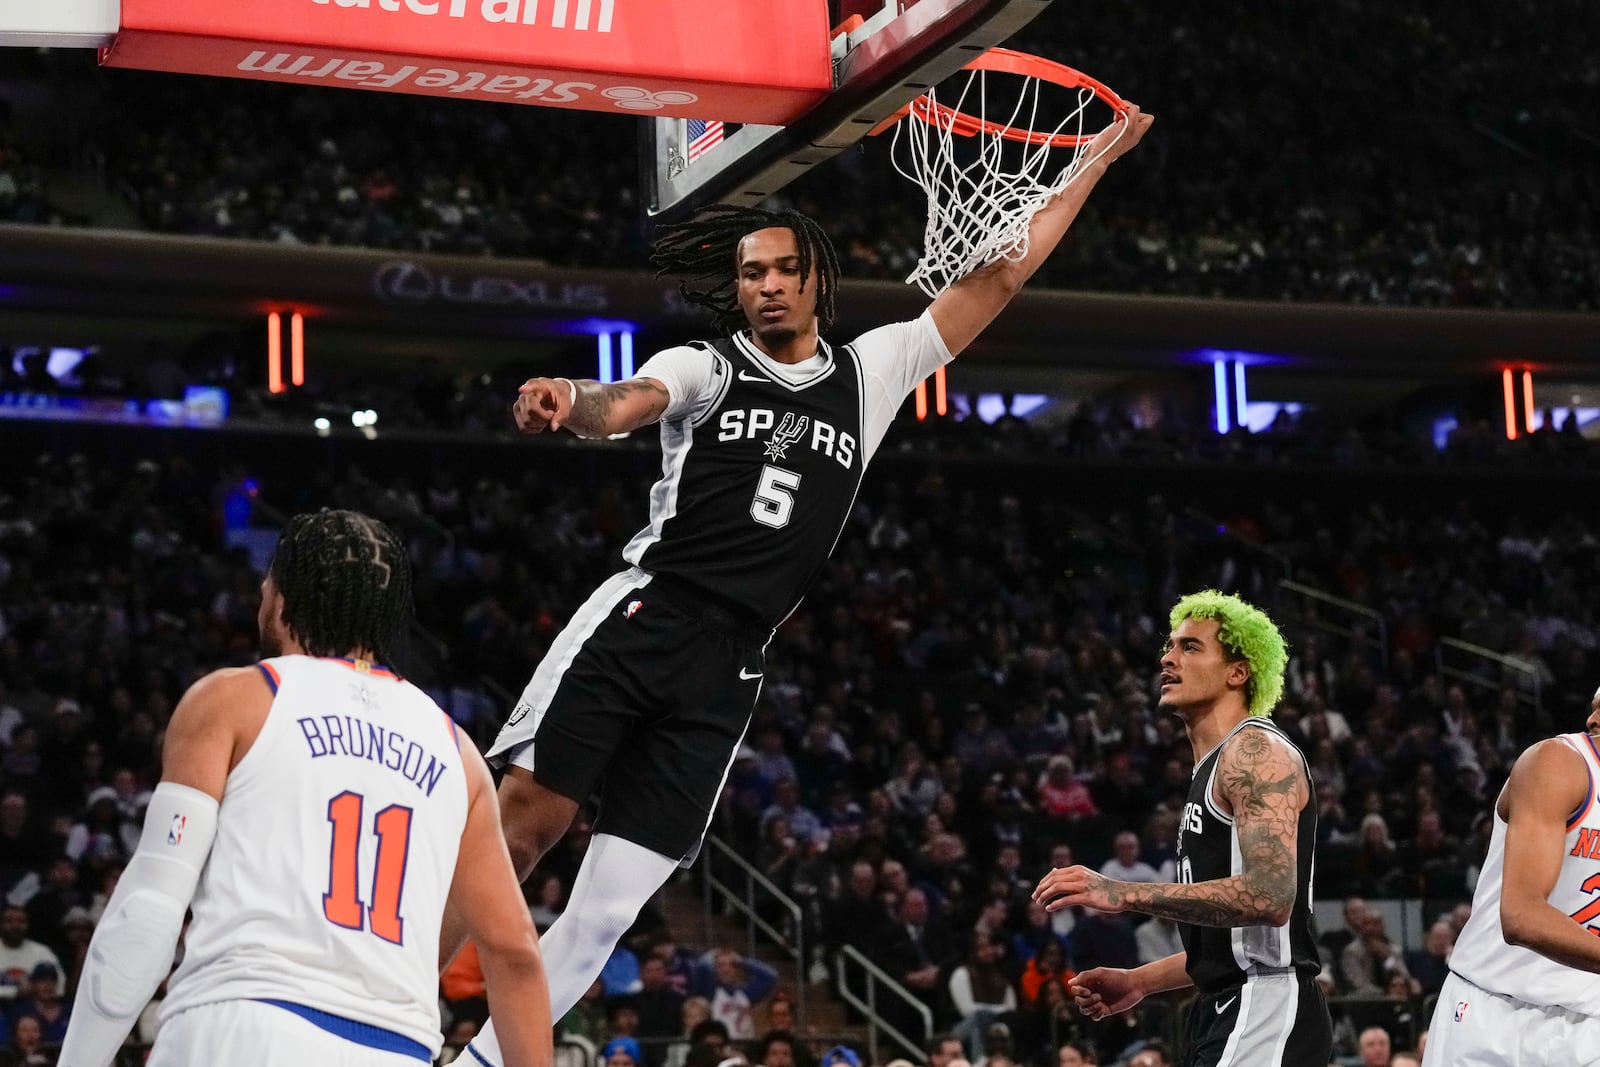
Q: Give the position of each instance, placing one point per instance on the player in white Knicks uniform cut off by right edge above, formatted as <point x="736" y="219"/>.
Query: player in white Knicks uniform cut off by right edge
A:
<point x="1522" y="988"/>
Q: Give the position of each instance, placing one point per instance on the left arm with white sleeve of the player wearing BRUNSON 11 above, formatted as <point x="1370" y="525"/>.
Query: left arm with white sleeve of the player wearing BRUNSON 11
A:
<point x="134" y="946"/>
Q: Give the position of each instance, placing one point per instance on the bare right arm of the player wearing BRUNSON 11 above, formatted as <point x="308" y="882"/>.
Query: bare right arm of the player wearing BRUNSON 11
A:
<point x="489" y="898"/>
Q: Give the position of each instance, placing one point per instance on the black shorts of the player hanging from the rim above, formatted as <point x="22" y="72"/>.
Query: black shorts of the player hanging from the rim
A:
<point x="642" y="701"/>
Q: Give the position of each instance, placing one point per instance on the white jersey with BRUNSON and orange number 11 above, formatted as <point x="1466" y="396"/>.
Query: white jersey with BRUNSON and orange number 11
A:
<point x="335" y="850"/>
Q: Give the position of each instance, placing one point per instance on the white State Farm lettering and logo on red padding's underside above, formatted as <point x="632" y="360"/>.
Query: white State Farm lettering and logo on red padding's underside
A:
<point x="367" y="74"/>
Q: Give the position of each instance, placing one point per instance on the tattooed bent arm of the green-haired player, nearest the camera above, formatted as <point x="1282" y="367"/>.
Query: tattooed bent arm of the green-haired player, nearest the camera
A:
<point x="1263" y="781"/>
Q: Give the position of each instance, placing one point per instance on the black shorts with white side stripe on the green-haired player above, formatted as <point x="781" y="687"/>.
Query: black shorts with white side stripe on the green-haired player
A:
<point x="1268" y="1021"/>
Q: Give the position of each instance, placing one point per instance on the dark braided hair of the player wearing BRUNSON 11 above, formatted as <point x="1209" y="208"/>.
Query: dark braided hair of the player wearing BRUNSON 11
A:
<point x="346" y="583"/>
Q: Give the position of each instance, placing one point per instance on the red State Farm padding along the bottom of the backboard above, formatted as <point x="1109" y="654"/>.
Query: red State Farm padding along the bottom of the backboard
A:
<point x="730" y="60"/>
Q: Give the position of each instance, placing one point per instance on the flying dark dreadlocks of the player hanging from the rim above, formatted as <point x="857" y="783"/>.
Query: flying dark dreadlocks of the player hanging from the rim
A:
<point x="705" y="255"/>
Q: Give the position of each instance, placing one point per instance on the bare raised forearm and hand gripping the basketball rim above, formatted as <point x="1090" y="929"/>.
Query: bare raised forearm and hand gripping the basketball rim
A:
<point x="970" y="305"/>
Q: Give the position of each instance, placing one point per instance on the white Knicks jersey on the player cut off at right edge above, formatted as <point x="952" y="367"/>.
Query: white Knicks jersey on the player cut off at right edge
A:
<point x="1482" y="956"/>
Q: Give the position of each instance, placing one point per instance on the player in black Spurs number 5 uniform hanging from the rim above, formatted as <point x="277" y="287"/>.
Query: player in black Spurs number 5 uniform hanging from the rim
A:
<point x="649" y="690"/>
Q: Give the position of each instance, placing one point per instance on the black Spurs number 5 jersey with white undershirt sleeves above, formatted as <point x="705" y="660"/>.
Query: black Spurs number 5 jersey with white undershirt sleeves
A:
<point x="761" y="473"/>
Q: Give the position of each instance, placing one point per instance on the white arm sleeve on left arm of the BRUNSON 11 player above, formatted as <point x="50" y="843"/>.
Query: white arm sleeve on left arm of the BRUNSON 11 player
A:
<point x="134" y="946"/>
